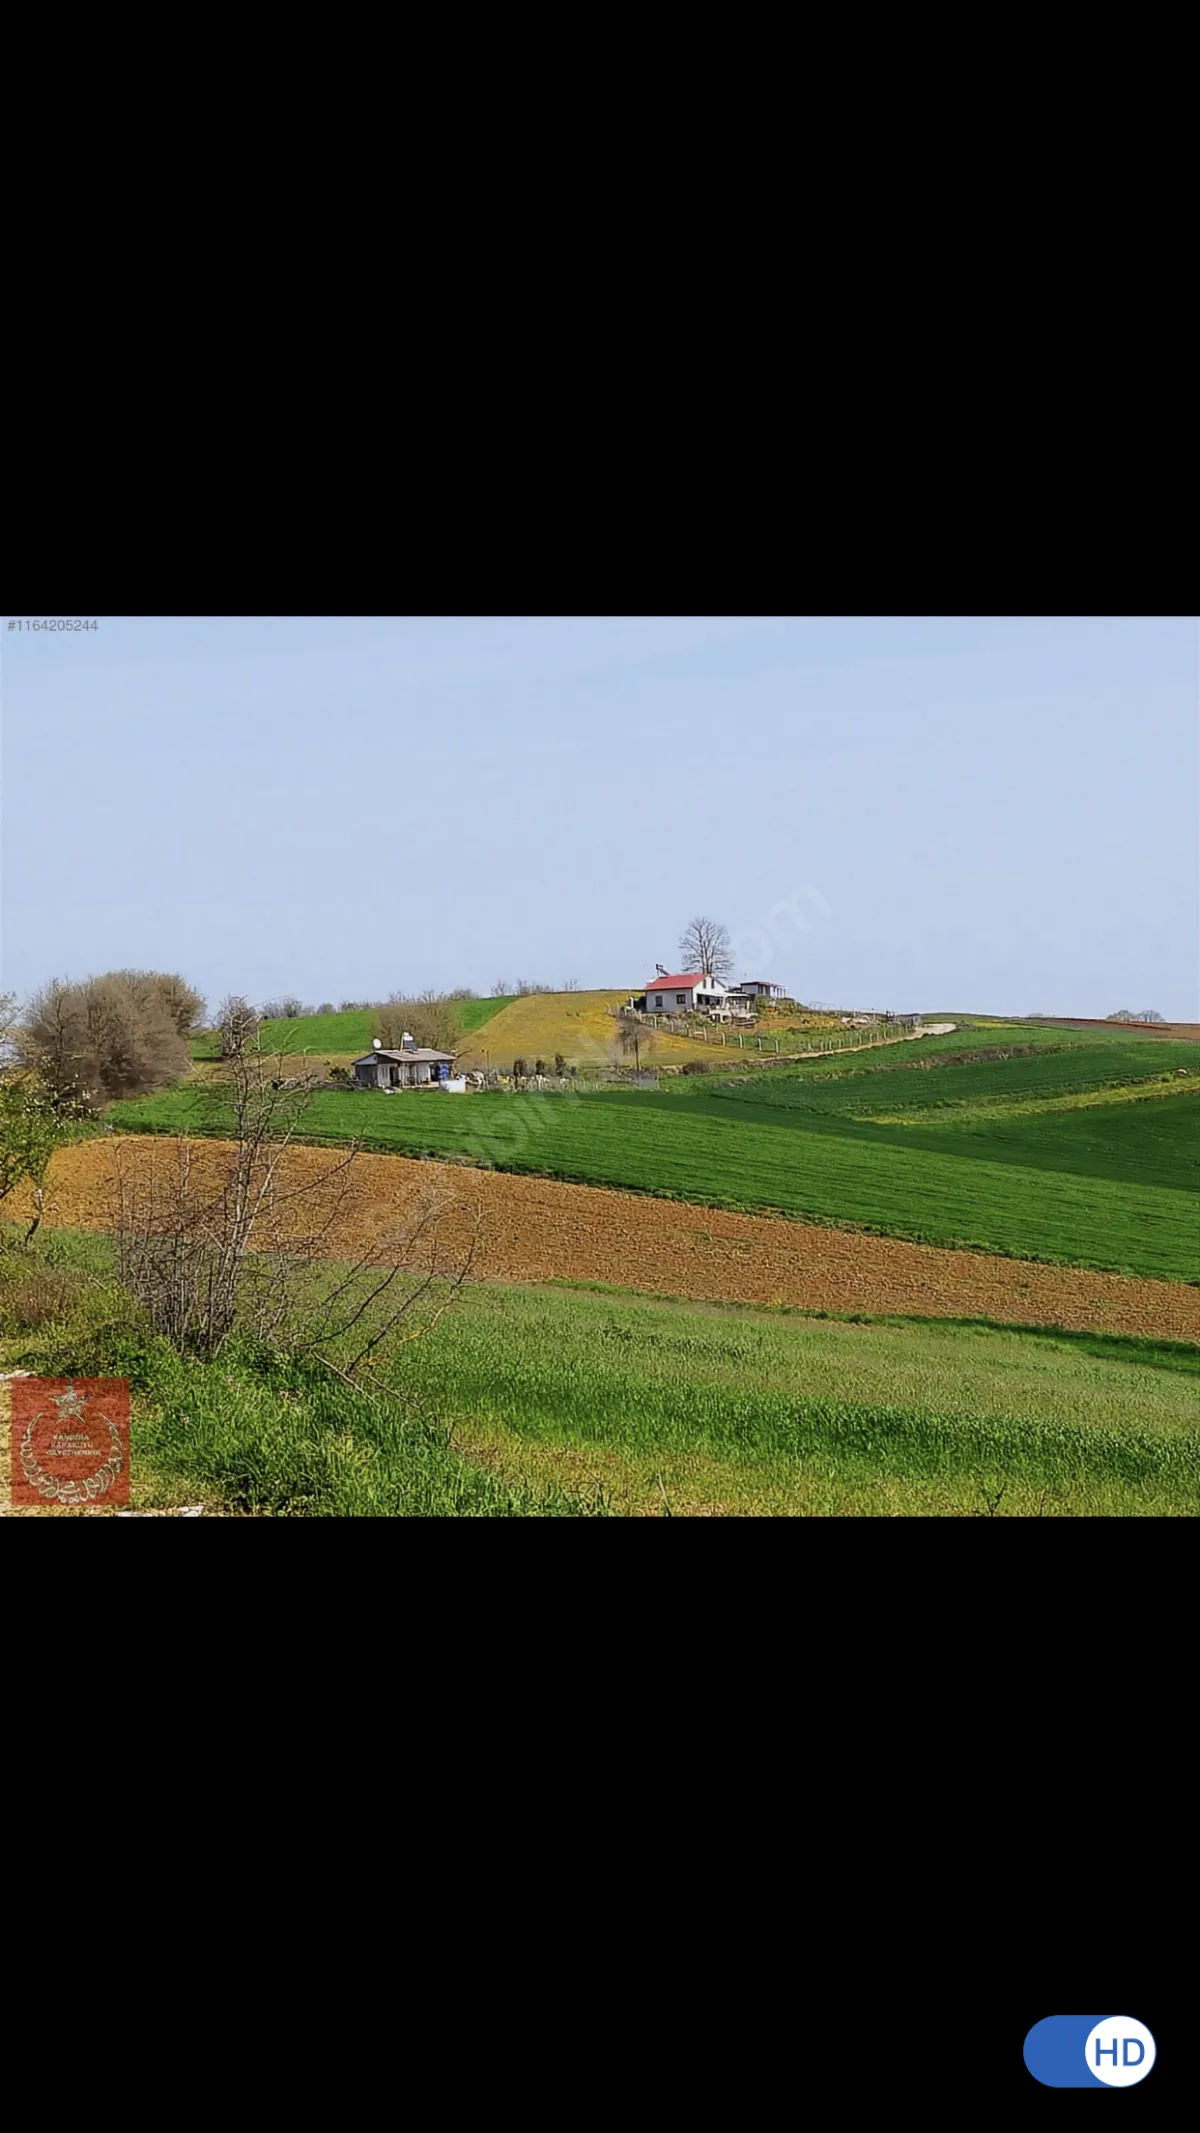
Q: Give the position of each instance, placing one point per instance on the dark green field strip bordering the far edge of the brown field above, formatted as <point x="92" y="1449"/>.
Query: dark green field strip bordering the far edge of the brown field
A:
<point x="788" y="1159"/>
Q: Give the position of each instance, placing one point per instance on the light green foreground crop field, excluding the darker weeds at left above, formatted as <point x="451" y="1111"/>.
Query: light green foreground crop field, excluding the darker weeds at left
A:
<point x="749" y="1413"/>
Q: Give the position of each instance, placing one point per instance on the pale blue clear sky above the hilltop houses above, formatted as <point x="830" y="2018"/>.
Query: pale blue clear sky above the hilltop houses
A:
<point x="992" y="816"/>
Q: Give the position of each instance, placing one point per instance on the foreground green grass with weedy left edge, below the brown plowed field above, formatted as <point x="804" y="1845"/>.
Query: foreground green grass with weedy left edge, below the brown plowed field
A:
<point x="579" y="1400"/>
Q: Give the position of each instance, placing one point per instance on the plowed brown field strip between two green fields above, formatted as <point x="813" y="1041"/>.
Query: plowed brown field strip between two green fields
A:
<point x="538" y="1230"/>
